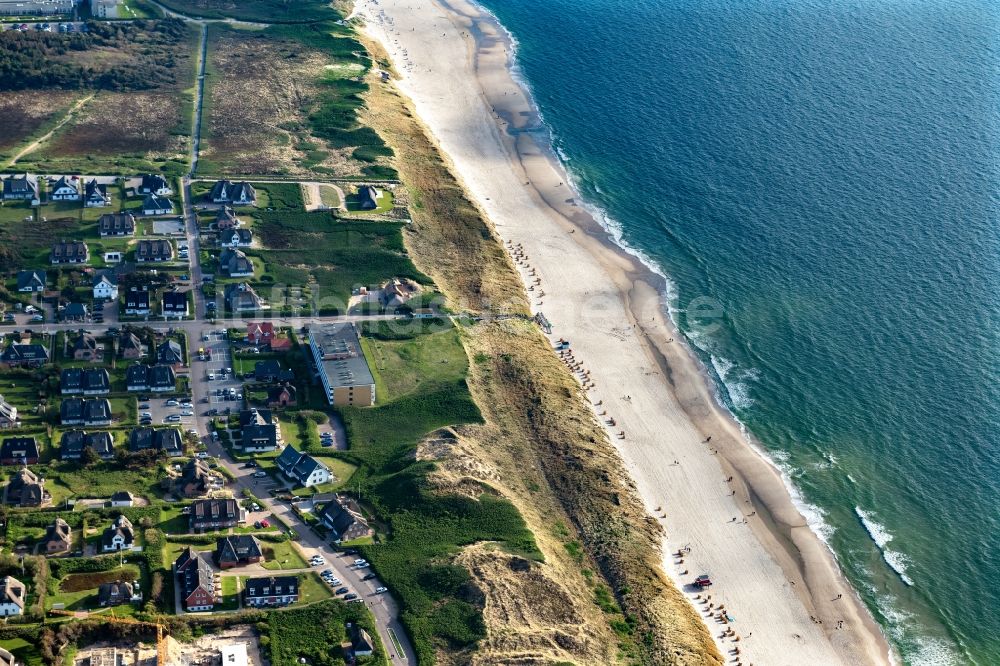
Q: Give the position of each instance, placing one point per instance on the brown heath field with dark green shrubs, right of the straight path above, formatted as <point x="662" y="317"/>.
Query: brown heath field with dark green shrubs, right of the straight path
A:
<point x="277" y="104"/>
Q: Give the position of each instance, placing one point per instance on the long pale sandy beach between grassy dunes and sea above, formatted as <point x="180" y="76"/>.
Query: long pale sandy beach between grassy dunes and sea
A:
<point x="694" y="468"/>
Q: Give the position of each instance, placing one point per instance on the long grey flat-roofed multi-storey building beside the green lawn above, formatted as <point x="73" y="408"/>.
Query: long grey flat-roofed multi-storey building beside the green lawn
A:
<point x="341" y="364"/>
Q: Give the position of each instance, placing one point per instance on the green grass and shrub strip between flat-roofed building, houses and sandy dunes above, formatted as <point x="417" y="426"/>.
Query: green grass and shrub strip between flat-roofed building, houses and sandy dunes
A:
<point x="423" y="380"/>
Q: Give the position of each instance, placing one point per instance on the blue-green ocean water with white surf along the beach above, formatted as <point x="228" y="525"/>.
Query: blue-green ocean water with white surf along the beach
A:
<point x="827" y="172"/>
